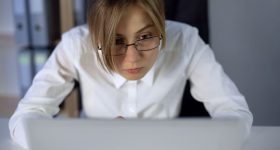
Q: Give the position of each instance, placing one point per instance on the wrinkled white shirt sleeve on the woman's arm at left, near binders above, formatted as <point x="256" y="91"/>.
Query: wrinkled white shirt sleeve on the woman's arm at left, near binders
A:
<point x="49" y="88"/>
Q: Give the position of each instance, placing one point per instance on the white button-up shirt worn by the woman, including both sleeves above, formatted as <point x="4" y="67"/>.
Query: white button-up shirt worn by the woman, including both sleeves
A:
<point x="157" y="95"/>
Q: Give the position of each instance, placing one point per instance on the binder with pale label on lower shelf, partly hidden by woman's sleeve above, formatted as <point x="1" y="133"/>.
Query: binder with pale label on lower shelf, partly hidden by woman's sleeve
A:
<point x="40" y="58"/>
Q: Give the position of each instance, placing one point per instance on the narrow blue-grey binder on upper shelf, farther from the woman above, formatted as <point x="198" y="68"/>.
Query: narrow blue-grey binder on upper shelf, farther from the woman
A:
<point x="22" y="26"/>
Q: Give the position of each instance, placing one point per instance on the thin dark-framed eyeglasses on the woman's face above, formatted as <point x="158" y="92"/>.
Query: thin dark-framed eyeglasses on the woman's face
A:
<point x="144" y="43"/>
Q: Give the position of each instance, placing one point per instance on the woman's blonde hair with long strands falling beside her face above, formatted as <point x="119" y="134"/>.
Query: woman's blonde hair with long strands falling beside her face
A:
<point x="104" y="16"/>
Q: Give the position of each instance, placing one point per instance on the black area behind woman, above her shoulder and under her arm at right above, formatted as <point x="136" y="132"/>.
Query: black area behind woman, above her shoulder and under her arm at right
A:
<point x="193" y="12"/>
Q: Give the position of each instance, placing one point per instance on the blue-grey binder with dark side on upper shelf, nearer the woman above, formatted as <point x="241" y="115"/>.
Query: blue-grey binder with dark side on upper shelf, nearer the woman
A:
<point x="44" y="22"/>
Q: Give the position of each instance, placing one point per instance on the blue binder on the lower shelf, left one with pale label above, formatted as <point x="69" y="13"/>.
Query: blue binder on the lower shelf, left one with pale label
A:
<point x="25" y="69"/>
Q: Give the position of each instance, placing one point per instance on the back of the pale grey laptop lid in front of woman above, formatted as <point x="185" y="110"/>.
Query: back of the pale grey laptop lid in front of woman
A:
<point x="97" y="134"/>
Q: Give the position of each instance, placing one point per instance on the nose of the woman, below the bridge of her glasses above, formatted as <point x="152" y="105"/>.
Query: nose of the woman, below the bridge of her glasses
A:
<point x="132" y="54"/>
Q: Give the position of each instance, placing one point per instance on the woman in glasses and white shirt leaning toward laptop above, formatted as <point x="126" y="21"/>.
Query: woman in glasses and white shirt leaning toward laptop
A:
<point x="130" y="63"/>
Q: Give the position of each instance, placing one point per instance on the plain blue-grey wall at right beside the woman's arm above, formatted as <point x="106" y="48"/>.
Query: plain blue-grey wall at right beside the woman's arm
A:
<point x="245" y="38"/>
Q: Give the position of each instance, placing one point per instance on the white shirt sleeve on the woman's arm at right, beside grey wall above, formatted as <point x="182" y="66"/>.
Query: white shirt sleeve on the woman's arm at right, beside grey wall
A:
<point x="211" y="85"/>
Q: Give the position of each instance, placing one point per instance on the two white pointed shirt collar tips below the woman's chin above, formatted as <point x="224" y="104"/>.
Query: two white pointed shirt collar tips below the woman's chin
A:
<point x="148" y="79"/>
